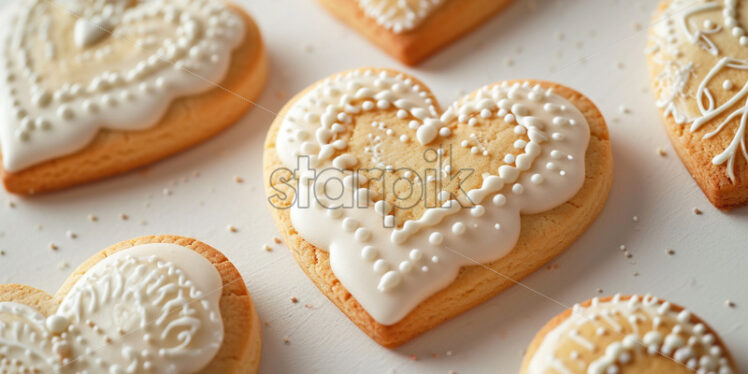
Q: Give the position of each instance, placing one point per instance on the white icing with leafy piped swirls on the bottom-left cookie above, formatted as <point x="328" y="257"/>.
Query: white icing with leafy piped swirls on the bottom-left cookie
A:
<point x="150" y="308"/>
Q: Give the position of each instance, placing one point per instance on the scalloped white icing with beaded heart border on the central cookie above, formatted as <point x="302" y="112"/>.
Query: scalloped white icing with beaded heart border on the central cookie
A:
<point x="390" y="271"/>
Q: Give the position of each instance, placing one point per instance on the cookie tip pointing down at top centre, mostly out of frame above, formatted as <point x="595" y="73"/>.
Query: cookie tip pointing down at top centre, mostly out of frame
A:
<point x="412" y="30"/>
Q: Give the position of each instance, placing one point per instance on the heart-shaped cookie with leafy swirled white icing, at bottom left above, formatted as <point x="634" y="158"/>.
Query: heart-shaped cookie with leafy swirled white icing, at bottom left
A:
<point x="158" y="304"/>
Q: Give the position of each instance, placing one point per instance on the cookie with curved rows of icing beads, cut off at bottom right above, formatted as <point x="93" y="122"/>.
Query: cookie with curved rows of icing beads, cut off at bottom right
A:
<point x="631" y="334"/>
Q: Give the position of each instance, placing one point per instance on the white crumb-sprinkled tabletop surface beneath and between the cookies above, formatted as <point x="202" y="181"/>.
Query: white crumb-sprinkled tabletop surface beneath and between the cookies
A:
<point x="595" y="46"/>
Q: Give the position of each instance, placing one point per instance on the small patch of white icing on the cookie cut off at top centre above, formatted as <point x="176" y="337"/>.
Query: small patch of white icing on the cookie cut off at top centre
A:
<point x="399" y="15"/>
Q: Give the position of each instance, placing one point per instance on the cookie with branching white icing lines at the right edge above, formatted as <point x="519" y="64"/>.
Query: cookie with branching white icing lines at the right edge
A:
<point x="698" y="58"/>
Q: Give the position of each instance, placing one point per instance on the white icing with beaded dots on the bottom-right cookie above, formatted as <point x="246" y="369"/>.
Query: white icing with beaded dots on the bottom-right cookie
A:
<point x="688" y="343"/>
